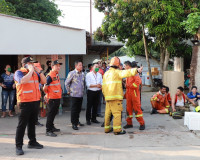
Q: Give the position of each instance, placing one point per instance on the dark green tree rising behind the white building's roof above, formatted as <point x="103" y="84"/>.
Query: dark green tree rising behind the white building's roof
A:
<point x="41" y="10"/>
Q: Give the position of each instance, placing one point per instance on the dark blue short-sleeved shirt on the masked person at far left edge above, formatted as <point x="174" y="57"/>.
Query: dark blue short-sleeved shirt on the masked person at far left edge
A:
<point x="8" y="81"/>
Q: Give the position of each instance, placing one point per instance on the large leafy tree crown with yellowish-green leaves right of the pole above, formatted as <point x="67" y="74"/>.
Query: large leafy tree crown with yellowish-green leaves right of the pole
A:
<point x="161" y="20"/>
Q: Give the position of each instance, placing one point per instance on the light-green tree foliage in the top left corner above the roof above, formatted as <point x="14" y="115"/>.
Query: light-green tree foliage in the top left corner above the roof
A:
<point x="6" y="8"/>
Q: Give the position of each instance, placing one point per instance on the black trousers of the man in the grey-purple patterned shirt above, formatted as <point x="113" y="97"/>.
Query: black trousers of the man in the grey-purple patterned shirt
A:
<point x="76" y="109"/>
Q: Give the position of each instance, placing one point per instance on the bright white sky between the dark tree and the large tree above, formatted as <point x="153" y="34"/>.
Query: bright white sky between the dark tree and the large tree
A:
<point x="77" y="14"/>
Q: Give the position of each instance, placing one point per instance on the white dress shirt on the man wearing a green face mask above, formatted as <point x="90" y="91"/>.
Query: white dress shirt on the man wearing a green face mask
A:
<point x="93" y="79"/>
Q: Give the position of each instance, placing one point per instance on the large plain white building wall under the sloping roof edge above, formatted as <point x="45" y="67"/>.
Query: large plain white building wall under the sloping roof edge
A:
<point x="23" y="36"/>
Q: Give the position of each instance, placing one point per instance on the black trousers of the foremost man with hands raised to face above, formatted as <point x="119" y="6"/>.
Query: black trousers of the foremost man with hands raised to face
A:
<point x="27" y="117"/>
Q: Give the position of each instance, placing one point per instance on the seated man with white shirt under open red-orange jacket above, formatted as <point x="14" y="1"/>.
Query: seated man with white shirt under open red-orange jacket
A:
<point x="179" y="102"/>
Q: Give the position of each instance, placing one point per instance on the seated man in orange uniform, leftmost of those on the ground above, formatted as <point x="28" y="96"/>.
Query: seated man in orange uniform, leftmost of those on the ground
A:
<point x="159" y="102"/>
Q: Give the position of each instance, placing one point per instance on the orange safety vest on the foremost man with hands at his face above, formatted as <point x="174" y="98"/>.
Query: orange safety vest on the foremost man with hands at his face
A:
<point x="28" y="92"/>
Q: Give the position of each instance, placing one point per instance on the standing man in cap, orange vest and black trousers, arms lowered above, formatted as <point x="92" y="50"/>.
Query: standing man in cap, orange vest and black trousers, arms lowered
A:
<point x="53" y="92"/>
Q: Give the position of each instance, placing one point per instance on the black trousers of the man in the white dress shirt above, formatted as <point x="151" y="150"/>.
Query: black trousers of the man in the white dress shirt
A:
<point x="92" y="104"/>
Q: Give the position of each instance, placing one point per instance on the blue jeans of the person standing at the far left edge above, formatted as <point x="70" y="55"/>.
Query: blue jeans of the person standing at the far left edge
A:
<point x="5" y="95"/>
